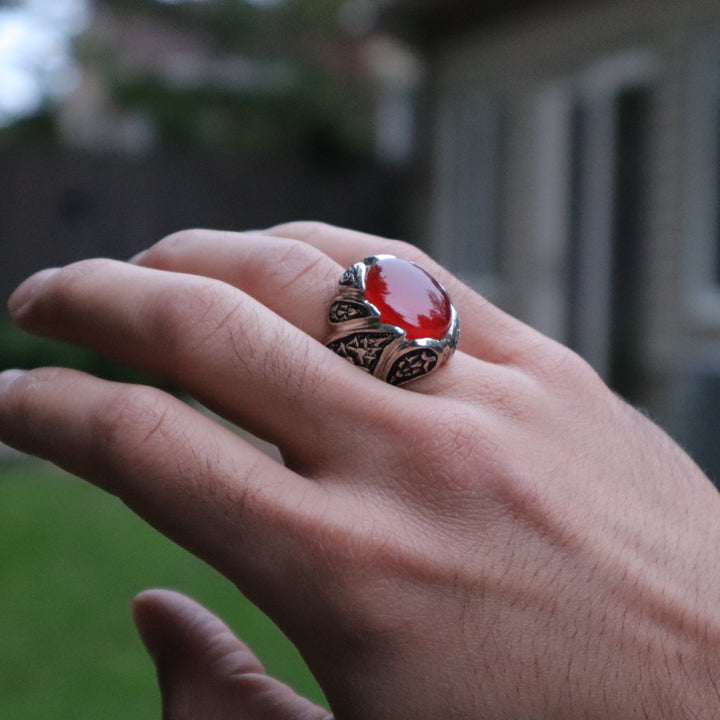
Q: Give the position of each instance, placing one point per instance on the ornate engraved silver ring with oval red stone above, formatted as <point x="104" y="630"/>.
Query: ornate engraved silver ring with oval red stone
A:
<point x="392" y="319"/>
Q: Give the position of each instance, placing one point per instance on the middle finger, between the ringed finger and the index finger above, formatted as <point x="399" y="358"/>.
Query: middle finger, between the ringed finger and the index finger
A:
<point x="229" y="351"/>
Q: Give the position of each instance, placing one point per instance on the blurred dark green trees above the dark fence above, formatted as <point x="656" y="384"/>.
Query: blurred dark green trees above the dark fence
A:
<point x="236" y="77"/>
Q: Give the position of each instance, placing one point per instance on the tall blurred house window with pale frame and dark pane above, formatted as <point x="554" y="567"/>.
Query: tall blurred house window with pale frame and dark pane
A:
<point x="595" y="207"/>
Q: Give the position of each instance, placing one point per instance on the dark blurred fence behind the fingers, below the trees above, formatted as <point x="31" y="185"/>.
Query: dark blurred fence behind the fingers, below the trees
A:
<point x="56" y="207"/>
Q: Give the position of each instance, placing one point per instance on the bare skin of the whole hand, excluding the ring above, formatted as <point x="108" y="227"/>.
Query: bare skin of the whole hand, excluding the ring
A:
<point x="502" y="539"/>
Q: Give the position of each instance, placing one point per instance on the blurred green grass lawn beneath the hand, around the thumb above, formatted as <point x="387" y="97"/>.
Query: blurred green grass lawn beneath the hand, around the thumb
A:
<point x="71" y="559"/>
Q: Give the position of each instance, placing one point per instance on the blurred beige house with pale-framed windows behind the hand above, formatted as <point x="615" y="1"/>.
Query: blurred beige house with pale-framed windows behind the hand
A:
<point x="571" y="156"/>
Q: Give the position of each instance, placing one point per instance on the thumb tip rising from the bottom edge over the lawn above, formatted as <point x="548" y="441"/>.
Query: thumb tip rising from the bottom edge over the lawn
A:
<point x="204" y="671"/>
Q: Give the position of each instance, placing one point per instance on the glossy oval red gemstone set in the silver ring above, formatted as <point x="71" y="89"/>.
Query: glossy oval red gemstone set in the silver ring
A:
<point x="406" y="296"/>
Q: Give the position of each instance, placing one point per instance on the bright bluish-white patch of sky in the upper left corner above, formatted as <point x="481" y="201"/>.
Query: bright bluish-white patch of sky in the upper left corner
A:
<point x="35" y="58"/>
